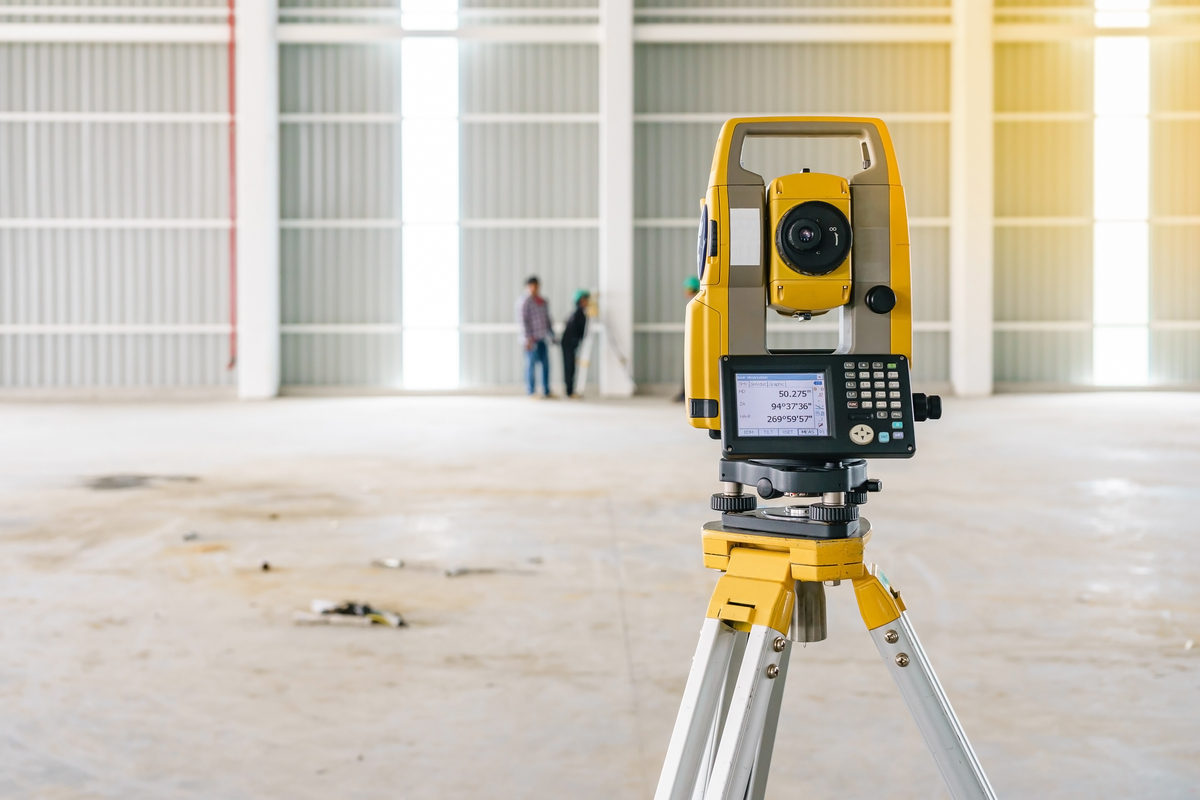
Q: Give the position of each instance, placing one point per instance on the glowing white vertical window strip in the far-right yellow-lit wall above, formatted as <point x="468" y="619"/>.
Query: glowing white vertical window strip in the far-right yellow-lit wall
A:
<point x="1121" y="206"/>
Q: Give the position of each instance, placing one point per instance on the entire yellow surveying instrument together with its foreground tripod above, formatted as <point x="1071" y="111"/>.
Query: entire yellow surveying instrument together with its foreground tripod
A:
<point x="800" y="425"/>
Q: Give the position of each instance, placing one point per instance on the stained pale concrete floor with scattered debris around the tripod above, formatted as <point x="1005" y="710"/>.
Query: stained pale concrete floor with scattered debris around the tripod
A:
<point x="1047" y="548"/>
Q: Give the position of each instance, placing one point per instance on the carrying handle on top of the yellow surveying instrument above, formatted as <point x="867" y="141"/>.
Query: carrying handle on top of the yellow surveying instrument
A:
<point x="875" y="155"/>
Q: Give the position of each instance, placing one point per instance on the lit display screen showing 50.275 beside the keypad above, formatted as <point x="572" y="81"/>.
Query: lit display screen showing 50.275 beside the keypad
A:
<point x="782" y="405"/>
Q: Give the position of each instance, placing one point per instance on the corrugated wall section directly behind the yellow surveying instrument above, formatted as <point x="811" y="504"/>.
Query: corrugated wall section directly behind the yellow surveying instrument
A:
<point x="686" y="92"/>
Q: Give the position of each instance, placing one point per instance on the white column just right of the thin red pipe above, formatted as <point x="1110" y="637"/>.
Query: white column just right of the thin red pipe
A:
<point x="259" y="199"/>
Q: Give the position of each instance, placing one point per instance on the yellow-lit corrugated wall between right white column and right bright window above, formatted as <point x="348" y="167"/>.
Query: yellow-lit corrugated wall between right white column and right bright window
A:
<point x="1043" y="280"/>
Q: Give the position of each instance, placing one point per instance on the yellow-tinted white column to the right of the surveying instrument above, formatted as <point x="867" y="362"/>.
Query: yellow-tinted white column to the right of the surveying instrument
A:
<point x="971" y="199"/>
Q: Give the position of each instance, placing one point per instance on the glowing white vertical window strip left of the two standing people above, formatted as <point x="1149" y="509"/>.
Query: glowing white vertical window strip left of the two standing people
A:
<point x="429" y="86"/>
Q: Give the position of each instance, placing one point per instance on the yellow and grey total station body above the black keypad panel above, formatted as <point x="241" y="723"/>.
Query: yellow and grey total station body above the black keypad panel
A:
<point x="806" y="245"/>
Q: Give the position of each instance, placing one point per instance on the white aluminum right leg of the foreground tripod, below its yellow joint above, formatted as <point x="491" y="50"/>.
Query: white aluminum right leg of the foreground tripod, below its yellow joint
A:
<point x="932" y="711"/>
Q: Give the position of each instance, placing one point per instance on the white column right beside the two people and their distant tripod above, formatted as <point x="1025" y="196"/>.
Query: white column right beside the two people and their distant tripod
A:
<point x="617" y="197"/>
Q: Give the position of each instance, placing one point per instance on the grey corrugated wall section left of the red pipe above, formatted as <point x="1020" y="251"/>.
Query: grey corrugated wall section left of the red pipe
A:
<point x="113" y="215"/>
